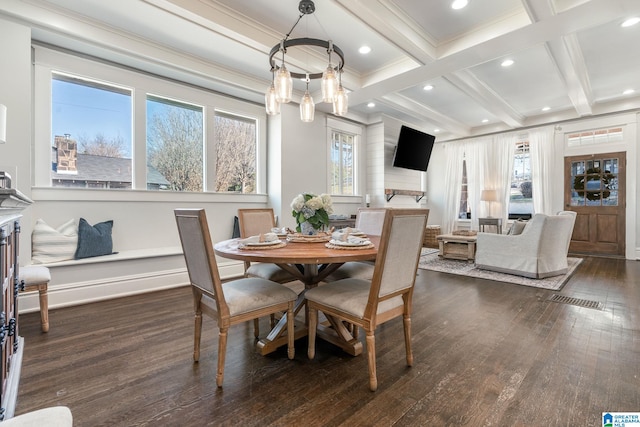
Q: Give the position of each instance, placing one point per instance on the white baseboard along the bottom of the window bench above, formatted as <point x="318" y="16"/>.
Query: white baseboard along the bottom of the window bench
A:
<point x="70" y="294"/>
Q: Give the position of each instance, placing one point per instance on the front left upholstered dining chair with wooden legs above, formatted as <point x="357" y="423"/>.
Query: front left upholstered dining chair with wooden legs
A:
<point x="237" y="301"/>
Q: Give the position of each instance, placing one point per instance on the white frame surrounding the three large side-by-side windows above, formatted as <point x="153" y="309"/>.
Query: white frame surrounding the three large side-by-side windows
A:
<point x="48" y="60"/>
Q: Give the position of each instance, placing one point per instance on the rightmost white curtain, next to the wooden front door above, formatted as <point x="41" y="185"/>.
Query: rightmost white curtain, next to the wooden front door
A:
<point x="541" y="150"/>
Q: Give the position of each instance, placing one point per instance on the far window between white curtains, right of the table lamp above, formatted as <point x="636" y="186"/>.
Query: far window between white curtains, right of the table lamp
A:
<point x="521" y="198"/>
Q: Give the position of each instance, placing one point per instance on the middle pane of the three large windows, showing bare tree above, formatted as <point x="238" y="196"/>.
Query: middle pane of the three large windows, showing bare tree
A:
<point x="175" y="145"/>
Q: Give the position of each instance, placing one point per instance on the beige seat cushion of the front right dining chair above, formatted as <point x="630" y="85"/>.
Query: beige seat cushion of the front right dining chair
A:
<point x="349" y="296"/>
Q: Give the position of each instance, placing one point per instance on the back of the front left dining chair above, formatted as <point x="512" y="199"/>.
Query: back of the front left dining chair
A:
<point x="199" y="255"/>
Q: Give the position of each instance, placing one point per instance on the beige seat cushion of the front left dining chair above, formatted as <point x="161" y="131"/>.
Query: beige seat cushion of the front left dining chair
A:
<point x="252" y="293"/>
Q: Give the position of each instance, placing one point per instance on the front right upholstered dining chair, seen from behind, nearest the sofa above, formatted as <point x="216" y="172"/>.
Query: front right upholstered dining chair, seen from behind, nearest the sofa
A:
<point x="369" y="303"/>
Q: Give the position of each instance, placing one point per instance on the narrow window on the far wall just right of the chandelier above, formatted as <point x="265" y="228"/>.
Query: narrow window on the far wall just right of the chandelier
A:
<point x="342" y="159"/>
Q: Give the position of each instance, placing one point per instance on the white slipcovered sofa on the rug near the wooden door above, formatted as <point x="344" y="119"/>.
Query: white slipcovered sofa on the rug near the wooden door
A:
<point x="539" y="251"/>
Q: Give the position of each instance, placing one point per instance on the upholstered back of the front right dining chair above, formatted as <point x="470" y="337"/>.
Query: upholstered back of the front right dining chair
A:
<point x="398" y="254"/>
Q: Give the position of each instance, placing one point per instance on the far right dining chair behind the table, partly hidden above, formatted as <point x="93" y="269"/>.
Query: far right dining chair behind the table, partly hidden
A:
<point x="369" y="221"/>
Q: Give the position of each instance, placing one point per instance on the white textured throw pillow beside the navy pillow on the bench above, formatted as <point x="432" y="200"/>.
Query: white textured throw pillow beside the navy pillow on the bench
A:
<point x="50" y="244"/>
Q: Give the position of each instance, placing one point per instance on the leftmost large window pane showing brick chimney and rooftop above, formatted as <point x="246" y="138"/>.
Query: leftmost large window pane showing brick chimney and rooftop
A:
<point x="91" y="134"/>
